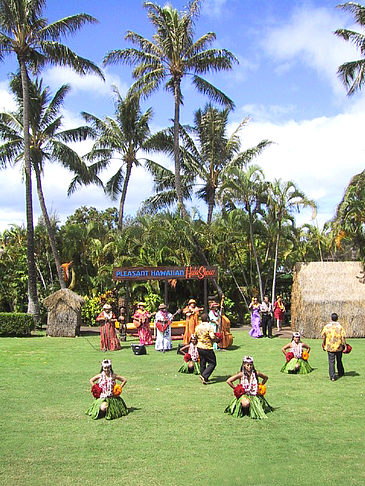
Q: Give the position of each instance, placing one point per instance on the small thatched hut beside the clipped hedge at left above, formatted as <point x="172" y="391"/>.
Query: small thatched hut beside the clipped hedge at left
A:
<point x="64" y="313"/>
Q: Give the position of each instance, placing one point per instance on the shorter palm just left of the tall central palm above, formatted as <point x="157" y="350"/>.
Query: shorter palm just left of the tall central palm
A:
<point x="120" y="137"/>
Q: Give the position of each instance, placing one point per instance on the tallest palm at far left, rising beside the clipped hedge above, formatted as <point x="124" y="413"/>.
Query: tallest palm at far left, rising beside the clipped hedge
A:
<point x="25" y="33"/>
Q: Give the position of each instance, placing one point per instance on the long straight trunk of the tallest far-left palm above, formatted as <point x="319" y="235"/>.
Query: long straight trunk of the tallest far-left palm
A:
<point x="33" y="304"/>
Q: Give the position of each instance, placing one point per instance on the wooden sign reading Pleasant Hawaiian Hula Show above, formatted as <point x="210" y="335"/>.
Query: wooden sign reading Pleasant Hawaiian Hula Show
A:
<point x="163" y="273"/>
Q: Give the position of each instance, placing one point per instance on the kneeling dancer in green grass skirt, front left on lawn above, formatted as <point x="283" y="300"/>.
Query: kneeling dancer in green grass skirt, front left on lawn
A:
<point x="107" y="392"/>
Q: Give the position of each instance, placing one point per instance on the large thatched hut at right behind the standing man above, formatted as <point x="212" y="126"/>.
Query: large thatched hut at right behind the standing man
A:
<point x="320" y="288"/>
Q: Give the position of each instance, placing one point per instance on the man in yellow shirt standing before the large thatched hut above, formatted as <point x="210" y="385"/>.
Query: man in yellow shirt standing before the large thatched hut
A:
<point x="334" y="342"/>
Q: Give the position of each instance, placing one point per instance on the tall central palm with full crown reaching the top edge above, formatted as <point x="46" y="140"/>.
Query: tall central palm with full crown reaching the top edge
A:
<point x="171" y="55"/>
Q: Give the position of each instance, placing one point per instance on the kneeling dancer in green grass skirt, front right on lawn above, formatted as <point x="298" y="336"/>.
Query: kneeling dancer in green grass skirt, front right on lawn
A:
<point x="249" y="394"/>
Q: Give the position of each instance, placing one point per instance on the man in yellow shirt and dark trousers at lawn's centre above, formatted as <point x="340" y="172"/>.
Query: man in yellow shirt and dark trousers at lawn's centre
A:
<point x="206" y="338"/>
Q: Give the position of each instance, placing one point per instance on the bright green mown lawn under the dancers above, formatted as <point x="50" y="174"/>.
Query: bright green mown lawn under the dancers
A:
<point x="176" y="433"/>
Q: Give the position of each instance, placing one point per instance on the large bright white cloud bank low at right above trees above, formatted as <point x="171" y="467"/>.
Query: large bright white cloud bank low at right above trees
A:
<point x="320" y="155"/>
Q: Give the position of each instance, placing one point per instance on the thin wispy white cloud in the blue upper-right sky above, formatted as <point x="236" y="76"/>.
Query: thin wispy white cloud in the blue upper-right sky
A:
<point x="308" y="38"/>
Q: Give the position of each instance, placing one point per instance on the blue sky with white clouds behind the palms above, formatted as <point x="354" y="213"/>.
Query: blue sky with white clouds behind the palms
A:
<point x="286" y="83"/>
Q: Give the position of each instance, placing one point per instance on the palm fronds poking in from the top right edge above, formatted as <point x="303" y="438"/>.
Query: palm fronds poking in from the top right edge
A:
<point x="352" y="73"/>
